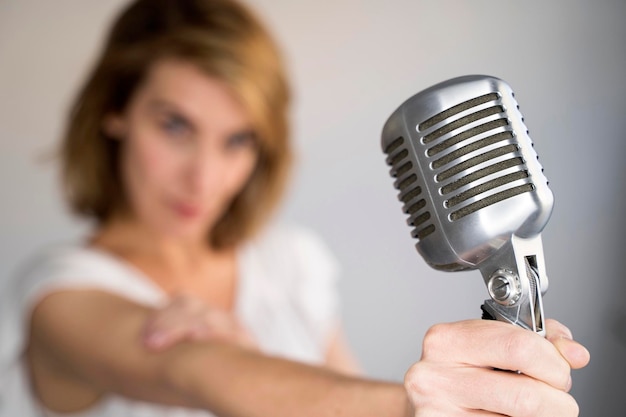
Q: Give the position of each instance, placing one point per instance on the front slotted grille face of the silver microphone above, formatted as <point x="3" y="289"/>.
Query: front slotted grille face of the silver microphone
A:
<point x="479" y="144"/>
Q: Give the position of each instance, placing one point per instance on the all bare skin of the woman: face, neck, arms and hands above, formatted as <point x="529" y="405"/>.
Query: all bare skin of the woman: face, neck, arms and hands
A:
<point x="188" y="148"/>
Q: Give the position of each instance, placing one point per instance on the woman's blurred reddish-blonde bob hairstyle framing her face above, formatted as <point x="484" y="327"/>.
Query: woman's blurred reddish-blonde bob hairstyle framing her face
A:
<point x="222" y="38"/>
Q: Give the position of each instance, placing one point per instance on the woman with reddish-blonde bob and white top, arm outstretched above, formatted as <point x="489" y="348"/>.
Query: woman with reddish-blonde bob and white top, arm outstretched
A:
<point x="179" y="303"/>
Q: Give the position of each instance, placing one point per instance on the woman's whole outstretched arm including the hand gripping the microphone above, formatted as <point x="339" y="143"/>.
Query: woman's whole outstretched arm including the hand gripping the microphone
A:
<point x="91" y="341"/>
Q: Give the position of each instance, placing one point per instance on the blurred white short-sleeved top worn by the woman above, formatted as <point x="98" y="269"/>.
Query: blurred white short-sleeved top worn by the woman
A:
<point x="286" y="297"/>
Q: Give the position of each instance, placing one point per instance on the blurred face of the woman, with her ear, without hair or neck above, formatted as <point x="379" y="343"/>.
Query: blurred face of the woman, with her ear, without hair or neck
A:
<point x="188" y="148"/>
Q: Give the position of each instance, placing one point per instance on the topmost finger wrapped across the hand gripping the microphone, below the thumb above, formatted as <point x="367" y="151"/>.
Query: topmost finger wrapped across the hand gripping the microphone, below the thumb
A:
<point x="494" y="344"/>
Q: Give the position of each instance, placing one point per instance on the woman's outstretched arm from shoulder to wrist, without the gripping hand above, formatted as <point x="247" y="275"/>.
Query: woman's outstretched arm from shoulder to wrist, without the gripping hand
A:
<point x="90" y="341"/>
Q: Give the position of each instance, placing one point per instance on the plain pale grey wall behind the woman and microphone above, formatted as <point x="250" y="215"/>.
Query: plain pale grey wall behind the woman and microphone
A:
<point x="352" y="63"/>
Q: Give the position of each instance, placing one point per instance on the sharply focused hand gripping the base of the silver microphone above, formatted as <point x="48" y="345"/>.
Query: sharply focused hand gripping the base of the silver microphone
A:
<point x="456" y="377"/>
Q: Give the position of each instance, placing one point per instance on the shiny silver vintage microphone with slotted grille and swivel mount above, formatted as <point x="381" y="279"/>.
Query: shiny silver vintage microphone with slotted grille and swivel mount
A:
<point x="474" y="191"/>
